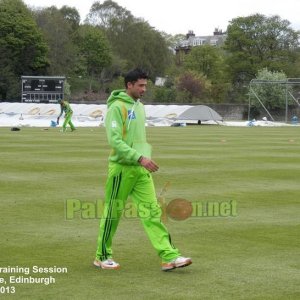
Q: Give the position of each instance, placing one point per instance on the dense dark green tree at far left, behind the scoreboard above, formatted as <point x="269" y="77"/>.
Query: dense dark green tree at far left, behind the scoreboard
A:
<point x="22" y="47"/>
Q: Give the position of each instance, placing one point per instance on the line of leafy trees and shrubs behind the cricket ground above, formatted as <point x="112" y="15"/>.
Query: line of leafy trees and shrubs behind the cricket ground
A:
<point x="94" y="54"/>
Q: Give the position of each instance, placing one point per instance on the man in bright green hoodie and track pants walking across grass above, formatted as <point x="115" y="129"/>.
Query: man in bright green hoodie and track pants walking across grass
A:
<point x="129" y="174"/>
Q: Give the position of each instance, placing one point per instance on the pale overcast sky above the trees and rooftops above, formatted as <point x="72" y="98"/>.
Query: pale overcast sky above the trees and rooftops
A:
<point x="174" y="17"/>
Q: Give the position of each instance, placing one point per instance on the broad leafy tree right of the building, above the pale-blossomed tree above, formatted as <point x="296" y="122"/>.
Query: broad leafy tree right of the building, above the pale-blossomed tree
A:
<point x="256" y="42"/>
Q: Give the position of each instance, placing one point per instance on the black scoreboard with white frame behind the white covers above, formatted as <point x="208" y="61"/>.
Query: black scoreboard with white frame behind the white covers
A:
<point x="42" y="89"/>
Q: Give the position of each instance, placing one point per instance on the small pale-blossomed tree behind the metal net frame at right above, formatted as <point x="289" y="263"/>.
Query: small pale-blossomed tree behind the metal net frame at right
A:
<point x="270" y="89"/>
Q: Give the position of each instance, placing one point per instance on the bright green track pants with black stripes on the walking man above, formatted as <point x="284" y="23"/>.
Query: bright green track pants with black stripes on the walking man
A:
<point x="136" y="182"/>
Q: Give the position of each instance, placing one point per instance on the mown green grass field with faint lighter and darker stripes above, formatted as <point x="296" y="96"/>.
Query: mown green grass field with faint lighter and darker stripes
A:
<point x="254" y="255"/>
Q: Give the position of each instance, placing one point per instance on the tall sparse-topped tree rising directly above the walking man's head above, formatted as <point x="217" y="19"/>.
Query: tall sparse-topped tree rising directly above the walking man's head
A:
<point x="132" y="39"/>
